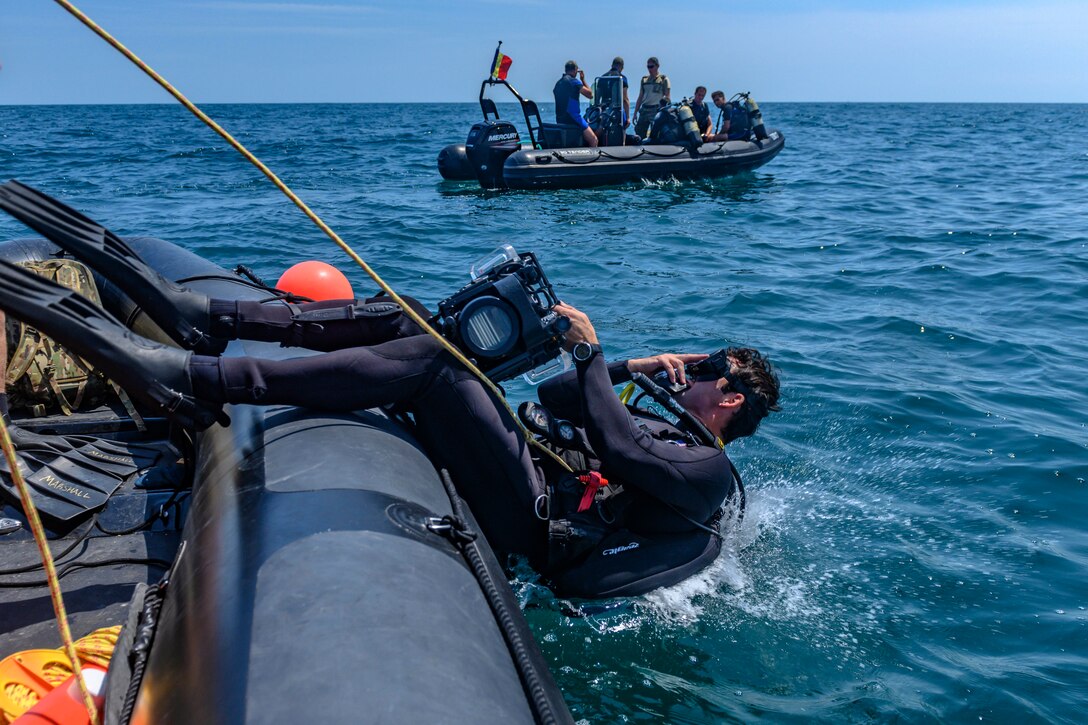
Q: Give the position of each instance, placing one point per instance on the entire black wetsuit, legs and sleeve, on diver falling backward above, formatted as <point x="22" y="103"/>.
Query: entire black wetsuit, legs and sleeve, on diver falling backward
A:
<point x="386" y="361"/>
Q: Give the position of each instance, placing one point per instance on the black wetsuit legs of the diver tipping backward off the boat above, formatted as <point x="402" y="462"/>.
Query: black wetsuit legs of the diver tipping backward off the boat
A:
<point x="379" y="361"/>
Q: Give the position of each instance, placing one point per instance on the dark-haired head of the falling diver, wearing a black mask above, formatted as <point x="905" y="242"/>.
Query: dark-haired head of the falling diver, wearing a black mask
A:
<point x="732" y="392"/>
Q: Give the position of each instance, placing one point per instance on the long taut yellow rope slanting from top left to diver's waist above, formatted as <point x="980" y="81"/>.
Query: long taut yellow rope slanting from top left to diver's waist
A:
<point x="310" y="213"/>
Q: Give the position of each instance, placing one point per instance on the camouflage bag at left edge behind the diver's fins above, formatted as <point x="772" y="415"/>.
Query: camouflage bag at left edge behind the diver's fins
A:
<point x="44" y="377"/>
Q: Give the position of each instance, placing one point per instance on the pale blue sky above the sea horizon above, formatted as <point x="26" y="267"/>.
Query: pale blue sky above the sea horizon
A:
<point x="427" y="51"/>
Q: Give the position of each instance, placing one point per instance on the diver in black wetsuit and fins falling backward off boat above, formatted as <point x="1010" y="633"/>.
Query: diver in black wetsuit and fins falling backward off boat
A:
<point x="379" y="358"/>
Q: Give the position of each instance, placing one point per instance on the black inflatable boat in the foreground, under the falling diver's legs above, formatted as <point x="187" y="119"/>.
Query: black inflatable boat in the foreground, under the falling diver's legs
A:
<point x="294" y="569"/>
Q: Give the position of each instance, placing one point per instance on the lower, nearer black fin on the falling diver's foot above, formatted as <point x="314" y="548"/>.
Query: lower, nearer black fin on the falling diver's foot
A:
<point x="157" y="375"/>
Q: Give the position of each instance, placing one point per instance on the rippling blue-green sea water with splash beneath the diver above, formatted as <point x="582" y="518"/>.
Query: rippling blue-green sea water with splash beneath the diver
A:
<point x="916" y="547"/>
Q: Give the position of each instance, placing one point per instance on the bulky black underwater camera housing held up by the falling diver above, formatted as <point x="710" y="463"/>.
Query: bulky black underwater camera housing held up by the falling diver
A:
<point x="503" y="321"/>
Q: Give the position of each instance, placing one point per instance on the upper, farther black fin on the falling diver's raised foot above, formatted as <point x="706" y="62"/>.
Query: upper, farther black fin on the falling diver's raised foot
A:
<point x="174" y="309"/>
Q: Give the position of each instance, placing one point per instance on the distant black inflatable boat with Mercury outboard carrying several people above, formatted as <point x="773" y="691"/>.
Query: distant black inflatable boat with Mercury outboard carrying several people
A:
<point x="554" y="158"/>
